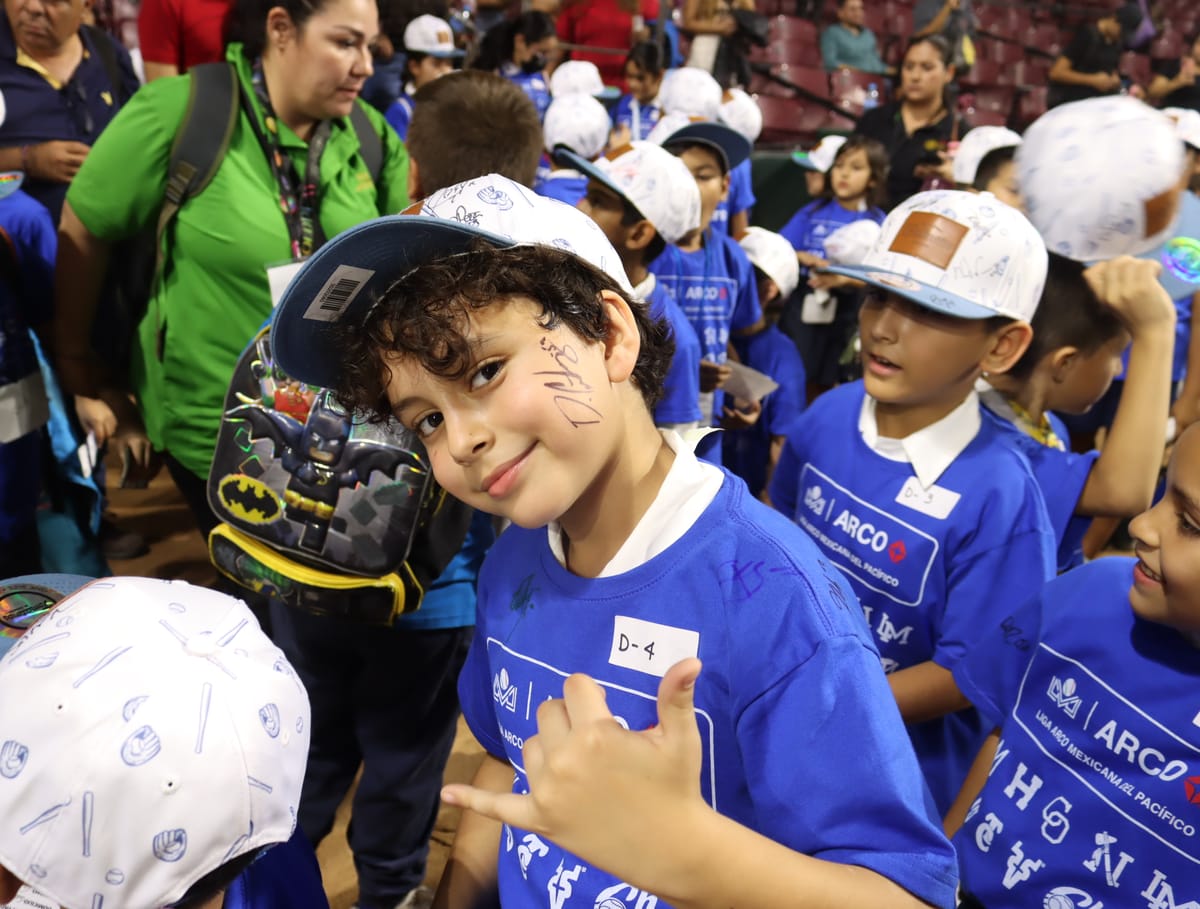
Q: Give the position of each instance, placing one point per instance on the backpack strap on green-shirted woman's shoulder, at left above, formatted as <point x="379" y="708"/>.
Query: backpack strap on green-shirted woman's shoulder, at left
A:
<point x="201" y="143"/>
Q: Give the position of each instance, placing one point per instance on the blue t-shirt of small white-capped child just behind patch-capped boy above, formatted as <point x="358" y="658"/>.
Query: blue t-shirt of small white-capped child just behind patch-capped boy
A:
<point x="747" y="452"/>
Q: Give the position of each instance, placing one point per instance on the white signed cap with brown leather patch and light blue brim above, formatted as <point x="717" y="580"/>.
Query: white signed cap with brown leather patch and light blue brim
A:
<point x="964" y="255"/>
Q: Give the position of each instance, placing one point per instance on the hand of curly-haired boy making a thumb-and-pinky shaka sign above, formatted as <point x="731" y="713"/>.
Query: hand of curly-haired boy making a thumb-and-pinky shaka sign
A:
<point x="617" y="799"/>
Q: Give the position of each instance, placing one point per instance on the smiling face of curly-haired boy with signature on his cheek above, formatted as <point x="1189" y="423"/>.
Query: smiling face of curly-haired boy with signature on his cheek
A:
<point x="529" y="429"/>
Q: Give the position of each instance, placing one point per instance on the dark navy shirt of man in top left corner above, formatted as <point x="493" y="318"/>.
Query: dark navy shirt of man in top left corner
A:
<point x="39" y="111"/>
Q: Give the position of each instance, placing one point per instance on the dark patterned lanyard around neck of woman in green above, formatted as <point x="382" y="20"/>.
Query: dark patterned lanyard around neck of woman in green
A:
<point x="299" y="202"/>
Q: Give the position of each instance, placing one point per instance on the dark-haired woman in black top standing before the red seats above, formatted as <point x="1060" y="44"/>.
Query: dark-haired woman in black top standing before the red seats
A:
<point x="919" y="128"/>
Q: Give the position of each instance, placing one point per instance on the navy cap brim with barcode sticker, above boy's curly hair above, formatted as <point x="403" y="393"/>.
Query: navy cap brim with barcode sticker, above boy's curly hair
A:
<point x="347" y="276"/>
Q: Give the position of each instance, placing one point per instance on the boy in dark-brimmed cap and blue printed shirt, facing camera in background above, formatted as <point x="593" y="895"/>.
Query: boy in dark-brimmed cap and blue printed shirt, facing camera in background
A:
<point x="707" y="273"/>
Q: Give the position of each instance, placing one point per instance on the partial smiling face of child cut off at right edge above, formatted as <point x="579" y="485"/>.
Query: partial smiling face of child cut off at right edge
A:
<point x="1167" y="543"/>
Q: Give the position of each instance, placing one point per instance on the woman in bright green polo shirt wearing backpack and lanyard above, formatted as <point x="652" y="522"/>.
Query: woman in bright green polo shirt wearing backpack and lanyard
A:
<point x="293" y="176"/>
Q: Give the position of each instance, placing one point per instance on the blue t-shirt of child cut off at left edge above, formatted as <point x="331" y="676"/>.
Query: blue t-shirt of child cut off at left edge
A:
<point x="27" y="294"/>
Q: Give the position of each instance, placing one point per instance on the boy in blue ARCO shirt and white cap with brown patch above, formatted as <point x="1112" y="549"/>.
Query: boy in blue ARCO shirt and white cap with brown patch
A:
<point x="899" y="479"/>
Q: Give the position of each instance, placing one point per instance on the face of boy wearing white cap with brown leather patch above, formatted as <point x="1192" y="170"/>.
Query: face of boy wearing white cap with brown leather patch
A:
<point x="916" y="358"/>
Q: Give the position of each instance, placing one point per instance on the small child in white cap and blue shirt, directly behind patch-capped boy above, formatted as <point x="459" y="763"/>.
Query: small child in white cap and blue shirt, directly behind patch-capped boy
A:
<point x="757" y="431"/>
